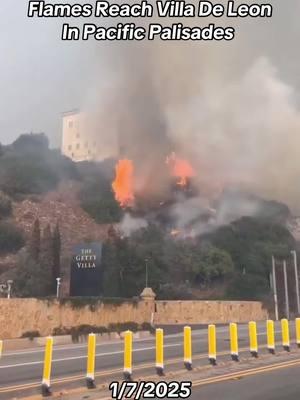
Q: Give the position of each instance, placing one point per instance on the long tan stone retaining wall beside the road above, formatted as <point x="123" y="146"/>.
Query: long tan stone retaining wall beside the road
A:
<point x="18" y="316"/>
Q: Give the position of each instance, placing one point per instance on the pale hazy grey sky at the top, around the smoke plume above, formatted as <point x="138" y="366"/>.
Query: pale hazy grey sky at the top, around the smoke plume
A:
<point x="40" y="76"/>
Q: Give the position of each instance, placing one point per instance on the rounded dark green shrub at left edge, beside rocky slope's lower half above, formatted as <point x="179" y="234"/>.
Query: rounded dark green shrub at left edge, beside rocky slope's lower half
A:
<point x="11" y="238"/>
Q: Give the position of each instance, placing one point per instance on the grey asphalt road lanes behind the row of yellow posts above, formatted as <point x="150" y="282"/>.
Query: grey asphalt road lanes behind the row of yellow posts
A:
<point x="24" y="368"/>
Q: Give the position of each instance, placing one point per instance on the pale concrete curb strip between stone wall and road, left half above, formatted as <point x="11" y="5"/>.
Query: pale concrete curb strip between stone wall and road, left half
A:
<point x="26" y="343"/>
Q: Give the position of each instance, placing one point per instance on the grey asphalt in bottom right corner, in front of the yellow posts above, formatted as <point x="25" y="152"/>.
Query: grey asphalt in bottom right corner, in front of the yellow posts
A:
<point x="281" y="384"/>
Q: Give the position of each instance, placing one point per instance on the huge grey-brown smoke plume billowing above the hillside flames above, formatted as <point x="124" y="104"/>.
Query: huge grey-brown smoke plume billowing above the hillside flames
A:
<point x="226" y="107"/>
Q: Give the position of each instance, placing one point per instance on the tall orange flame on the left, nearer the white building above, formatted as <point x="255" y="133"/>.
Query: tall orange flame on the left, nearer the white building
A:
<point x="123" y="183"/>
